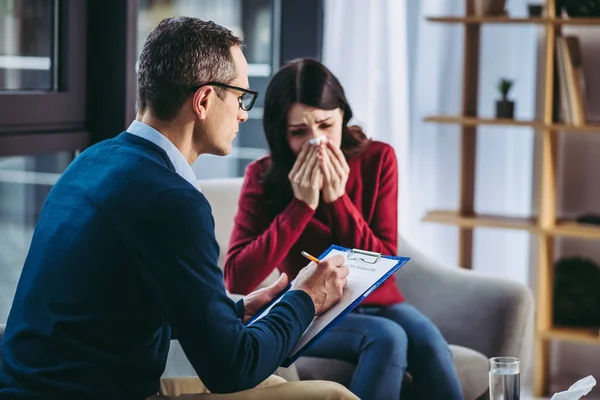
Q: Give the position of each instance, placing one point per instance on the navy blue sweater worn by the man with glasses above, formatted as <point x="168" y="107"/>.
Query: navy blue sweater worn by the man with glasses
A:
<point x="124" y="250"/>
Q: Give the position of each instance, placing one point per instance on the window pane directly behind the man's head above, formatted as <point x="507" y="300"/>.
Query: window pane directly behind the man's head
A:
<point x="253" y="21"/>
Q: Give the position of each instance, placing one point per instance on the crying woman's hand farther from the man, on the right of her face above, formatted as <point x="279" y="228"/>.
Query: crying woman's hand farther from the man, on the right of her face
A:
<point x="335" y="173"/>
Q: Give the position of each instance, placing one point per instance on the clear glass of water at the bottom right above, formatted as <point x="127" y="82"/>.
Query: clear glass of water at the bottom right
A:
<point x="504" y="378"/>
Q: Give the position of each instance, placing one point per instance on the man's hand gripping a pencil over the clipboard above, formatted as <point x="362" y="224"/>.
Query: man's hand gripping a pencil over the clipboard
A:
<point x="324" y="282"/>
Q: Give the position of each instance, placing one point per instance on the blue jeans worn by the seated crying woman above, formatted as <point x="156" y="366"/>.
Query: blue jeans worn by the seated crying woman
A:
<point x="386" y="342"/>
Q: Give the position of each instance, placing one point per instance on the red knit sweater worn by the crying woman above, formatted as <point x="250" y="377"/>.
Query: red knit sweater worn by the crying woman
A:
<point x="366" y="217"/>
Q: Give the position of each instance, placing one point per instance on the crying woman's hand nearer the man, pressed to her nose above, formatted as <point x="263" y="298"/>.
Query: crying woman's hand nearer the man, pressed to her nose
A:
<point x="306" y="176"/>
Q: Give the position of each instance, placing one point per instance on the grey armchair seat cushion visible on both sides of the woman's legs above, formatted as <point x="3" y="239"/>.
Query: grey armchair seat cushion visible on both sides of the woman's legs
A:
<point x="471" y="367"/>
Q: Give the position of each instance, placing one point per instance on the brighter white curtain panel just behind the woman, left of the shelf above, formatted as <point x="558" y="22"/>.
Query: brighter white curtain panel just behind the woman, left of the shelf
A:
<point x="365" y="46"/>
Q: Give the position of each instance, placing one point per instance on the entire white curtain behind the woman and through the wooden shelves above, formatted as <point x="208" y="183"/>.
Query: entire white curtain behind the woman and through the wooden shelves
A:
<point x="397" y="68"/>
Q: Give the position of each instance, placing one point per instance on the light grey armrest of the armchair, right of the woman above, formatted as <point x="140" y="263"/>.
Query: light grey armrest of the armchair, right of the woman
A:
<point x="491" y="315"/>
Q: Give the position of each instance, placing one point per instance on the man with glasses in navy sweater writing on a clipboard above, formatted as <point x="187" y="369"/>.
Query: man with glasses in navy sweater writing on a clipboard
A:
<point x="124" y="251"/>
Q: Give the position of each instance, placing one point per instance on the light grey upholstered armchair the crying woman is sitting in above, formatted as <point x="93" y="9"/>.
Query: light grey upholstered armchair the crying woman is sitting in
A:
<point x="480" y="316"/>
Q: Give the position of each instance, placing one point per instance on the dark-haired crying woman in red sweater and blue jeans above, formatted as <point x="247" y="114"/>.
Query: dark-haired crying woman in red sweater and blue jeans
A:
<point x="345" y="191"/>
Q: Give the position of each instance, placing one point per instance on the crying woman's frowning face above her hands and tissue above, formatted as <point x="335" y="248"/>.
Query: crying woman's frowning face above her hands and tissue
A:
<point x="305" y="123"/>
